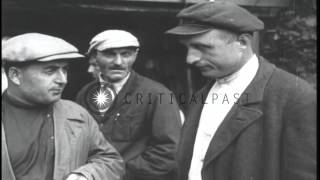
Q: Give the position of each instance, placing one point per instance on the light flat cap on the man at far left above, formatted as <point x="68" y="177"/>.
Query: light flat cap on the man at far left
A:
<point x="37" y="47"/>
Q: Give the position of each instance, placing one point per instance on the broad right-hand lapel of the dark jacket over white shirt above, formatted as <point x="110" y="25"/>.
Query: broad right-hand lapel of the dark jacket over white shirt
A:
<point x="242" y="114"/>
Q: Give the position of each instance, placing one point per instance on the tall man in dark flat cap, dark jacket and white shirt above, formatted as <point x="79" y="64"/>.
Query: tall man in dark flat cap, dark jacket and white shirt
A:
<point x="258" y="122"/>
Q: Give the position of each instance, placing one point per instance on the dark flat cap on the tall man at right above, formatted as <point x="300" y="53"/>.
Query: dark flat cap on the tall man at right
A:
<point x="202" y="17"/>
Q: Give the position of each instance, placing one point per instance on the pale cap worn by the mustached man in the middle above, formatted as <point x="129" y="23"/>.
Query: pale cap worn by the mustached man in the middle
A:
<point x="110" y="39"/>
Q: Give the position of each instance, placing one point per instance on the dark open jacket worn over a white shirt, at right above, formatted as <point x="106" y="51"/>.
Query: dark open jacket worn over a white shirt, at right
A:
<point x="269" y="135"/>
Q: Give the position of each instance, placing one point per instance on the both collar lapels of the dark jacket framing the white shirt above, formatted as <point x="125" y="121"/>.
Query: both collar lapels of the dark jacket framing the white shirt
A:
<point x="242" y="114"/>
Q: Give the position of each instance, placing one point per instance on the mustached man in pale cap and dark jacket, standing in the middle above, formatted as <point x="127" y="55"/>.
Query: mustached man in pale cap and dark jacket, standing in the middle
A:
<point x="139" y="116"/>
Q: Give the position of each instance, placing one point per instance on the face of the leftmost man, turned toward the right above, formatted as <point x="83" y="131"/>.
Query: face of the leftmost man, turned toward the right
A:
<point x="42" y="83"/>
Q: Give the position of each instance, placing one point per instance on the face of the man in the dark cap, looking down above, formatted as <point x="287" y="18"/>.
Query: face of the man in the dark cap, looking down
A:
<point x="213" y="55"/>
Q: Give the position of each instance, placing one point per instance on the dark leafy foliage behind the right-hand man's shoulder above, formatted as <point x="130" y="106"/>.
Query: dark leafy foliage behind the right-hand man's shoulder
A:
<point x="291" y="44"/>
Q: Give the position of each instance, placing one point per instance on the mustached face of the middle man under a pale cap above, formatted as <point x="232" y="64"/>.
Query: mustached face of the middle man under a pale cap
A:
<point x="115" y="64"/>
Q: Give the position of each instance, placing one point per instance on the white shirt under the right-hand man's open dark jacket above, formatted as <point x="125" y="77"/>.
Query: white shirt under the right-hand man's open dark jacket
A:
<point x="221" y="97"/>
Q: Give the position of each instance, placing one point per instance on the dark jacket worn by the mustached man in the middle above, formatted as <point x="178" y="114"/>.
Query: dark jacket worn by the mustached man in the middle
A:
<point x="144" y="126"/>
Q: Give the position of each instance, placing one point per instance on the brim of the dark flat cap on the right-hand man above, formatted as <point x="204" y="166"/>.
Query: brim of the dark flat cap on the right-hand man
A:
<point x="188" y="29"/>
